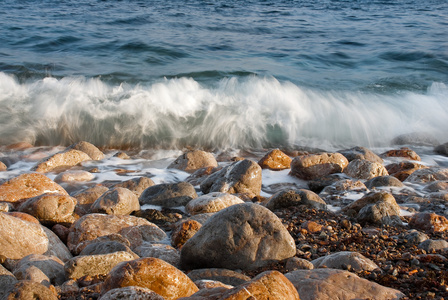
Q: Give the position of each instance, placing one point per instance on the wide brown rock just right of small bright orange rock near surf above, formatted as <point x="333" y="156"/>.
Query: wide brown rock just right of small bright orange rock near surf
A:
<point x="309" y="167"/>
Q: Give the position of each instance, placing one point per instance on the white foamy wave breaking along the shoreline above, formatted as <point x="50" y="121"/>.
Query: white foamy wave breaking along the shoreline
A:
<point x="235" y="112"/>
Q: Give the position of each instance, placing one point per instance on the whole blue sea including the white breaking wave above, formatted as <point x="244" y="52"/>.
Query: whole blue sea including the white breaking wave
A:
<point x="222" y="73"/>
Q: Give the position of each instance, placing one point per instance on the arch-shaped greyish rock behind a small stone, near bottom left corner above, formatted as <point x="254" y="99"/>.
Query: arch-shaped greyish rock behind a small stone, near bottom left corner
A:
<point x="51" y="266"/>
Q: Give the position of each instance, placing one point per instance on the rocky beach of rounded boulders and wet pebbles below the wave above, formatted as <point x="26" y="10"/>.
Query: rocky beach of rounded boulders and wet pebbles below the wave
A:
<point x="80" y="222"/>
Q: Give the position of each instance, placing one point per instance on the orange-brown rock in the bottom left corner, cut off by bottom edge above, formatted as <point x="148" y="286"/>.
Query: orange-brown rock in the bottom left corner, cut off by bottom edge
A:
<point x="26" y="290"/>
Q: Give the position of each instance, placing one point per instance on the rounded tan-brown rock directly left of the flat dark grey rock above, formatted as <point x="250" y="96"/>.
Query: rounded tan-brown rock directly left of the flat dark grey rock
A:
<point x="117" y="201"/>
